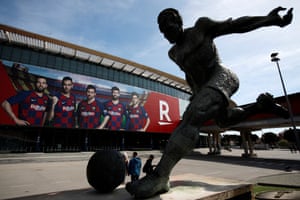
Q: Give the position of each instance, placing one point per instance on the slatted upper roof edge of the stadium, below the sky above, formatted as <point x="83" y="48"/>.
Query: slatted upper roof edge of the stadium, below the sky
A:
<point x="23" y="37"/>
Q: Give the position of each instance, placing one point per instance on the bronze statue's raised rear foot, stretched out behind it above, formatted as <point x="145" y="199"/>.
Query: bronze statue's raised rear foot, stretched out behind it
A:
<point x="266" y="103"/>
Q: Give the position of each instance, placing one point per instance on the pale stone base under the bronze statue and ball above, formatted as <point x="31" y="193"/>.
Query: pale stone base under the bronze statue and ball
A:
<point x="185" y="187"/>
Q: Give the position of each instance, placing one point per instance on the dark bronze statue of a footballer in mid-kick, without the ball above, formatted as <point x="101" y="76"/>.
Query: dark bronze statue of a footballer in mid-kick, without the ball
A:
<point x="212" y="85"/>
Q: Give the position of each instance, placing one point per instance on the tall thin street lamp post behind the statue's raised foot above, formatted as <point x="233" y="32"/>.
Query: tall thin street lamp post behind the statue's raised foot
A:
<point x="274" y="58"/>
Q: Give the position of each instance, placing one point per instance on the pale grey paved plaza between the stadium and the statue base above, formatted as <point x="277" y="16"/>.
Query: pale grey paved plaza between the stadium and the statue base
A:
<point x="23" y="175"/>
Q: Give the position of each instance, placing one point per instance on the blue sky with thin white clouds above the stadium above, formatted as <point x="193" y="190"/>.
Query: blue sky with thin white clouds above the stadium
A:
<point x="128" y="29"/>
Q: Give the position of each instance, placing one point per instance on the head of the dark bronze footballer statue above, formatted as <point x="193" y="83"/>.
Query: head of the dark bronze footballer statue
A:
<point x="170" y="24"/>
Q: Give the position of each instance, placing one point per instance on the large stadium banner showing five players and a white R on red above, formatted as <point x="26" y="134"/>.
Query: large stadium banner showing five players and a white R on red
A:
<point x="81" y="101"/>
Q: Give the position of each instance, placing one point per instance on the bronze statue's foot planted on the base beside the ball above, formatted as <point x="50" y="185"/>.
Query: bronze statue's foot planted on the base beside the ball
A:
<point x="148" y="186"/>
